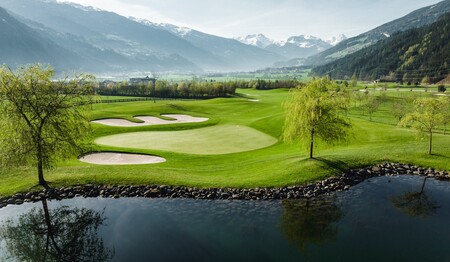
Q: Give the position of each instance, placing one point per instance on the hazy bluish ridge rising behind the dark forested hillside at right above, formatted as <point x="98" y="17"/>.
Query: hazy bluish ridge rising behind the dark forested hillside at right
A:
<point x="415" y="19"/>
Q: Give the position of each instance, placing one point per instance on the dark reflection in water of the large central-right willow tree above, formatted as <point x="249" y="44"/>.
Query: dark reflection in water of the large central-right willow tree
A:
<point x="310" y="221"/>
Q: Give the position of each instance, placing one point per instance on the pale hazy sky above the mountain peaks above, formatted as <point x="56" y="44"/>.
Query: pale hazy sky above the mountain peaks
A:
<point x="277" y="19"/>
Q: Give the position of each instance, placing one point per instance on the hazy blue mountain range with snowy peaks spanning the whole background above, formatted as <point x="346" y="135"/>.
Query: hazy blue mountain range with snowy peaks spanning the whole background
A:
<point x="74" y="37"/>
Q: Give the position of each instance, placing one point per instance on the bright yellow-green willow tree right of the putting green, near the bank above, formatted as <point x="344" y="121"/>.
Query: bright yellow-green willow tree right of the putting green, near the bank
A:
<point x="313" y="112"/>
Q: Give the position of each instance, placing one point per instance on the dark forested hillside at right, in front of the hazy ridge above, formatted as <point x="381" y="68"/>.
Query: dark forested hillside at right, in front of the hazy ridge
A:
<point x="419" y="55"/>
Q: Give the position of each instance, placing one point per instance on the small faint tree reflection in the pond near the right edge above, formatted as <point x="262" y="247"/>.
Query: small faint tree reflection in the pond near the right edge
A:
<point x="415" y="203"/>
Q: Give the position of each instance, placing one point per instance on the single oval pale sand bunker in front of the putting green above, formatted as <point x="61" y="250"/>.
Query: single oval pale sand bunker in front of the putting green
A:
<point x="107" y="158"/>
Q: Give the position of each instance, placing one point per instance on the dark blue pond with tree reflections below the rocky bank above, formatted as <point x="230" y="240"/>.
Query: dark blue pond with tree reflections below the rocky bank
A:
<point x="382" y="219"/>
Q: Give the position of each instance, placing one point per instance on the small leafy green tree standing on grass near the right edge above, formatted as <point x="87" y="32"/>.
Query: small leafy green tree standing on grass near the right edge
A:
<point x="426" y="116"/>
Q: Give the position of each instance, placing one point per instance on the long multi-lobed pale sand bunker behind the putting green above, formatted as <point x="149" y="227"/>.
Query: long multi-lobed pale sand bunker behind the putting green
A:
<point x="151" y="120"/>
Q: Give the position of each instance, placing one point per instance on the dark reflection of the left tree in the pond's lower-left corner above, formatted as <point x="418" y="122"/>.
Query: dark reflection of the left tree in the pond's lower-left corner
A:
<point x="61" y="234"/>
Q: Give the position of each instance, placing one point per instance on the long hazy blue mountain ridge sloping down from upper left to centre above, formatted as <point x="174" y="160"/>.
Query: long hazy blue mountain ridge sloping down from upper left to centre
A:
<point x="121" y="44"/>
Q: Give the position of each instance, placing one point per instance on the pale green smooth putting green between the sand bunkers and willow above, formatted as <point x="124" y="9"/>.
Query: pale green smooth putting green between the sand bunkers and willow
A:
<point x="215" y="140"/>
